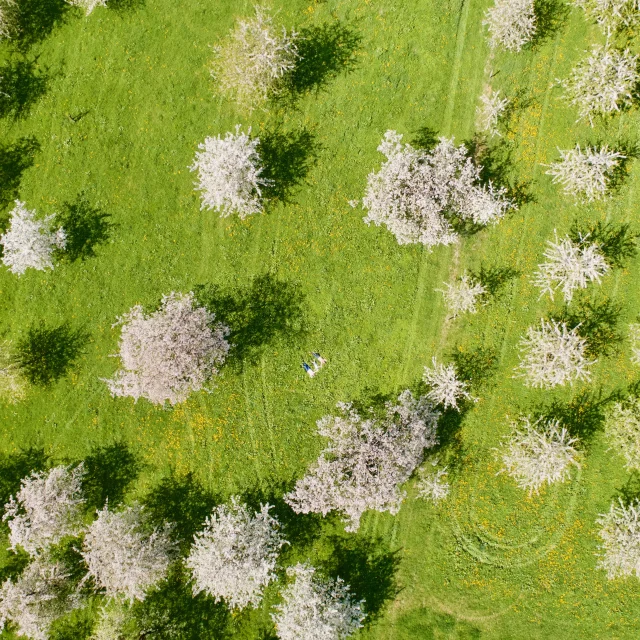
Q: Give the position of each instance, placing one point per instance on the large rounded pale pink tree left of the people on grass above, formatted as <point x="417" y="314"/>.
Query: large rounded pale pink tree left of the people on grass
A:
<point x="169" y="353"/>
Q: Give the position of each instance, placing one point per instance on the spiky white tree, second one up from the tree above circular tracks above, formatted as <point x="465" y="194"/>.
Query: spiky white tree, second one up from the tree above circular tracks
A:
<point x="569" y="266"/>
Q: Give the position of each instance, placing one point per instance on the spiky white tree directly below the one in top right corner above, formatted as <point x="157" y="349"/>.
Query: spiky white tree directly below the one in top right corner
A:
<point x="603" y="82"/>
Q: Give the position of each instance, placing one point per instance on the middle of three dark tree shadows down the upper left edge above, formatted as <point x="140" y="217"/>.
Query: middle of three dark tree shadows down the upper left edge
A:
<point x="21" y="85"/>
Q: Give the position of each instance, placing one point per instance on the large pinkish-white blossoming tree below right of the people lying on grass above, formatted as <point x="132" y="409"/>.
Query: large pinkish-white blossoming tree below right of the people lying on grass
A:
<point x="366" y="460"/>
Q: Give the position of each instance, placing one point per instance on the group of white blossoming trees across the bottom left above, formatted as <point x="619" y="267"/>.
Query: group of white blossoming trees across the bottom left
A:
<point x="123" y="556"/>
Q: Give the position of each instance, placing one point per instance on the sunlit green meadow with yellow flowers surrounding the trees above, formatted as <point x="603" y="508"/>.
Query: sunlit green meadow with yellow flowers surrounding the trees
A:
<point x="490" y="562"/>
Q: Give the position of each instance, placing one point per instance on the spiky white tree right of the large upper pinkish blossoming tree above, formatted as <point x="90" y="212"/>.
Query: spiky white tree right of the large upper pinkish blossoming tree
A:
<point x="585" y="174"/>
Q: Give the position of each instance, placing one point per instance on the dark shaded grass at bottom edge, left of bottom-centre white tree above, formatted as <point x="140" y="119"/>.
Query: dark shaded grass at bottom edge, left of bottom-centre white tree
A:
<point x="172" y="612"/>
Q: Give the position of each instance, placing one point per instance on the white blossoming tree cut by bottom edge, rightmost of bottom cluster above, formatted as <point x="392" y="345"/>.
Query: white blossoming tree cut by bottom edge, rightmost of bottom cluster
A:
<point x="314" y="608"/>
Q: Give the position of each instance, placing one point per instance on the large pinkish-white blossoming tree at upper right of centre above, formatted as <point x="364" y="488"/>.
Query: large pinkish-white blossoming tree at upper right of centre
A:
<point x="417" y="194"/>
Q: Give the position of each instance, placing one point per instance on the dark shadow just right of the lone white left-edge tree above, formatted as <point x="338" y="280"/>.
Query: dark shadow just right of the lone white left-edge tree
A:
<point x="86" y="227"/>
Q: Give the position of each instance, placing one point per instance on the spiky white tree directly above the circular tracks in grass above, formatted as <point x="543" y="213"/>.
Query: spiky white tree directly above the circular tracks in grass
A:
<point x="539" y="453"/>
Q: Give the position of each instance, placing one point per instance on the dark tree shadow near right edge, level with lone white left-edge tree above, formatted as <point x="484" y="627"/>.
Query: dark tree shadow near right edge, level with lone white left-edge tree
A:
<point x="617" y="242"/>
